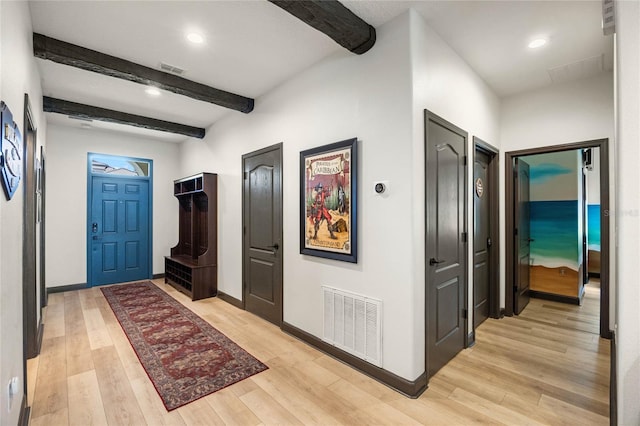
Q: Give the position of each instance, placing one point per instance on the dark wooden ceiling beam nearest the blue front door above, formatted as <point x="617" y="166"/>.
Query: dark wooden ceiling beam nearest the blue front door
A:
<point x="89" y="112"/>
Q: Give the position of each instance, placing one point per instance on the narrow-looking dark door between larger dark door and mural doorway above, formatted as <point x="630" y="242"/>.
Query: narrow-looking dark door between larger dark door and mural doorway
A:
<point x="481" y="241"/>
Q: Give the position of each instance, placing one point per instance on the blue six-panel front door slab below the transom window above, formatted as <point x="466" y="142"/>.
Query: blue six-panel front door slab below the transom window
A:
<point x="119" y="230"/>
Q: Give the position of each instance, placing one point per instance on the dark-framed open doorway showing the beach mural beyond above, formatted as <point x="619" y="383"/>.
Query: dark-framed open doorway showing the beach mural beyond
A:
<point x="561" y="251"/>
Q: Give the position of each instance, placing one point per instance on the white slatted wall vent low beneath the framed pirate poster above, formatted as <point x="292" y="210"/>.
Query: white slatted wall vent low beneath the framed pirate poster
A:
<point x="352" y="322"/>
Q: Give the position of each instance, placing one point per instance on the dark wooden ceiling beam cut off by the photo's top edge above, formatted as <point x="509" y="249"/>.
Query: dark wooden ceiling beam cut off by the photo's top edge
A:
<point x="335" y="20"/>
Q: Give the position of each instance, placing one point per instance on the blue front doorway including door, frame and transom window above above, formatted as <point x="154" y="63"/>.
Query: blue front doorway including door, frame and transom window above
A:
<point x="119" y="219"/>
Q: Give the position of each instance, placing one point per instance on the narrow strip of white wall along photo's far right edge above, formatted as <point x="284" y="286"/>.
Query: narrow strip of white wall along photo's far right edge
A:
<point x="628" y="210"/>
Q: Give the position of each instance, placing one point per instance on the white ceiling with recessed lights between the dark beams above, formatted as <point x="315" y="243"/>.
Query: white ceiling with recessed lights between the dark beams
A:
<point x="253" y="46"/>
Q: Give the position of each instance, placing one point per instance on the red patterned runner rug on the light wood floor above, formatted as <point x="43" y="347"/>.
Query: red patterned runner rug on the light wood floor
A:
<point x="184" y="356"/>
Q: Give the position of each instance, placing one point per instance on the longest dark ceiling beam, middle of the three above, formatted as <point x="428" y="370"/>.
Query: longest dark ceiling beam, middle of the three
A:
<point x="80" y="57"/>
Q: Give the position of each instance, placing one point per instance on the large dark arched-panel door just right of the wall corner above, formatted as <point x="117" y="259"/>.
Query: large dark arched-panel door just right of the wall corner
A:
<point x="446" y="257"/>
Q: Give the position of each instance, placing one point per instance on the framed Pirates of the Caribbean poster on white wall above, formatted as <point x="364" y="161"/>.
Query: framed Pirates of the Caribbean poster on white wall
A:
<point x="328" y="202"/>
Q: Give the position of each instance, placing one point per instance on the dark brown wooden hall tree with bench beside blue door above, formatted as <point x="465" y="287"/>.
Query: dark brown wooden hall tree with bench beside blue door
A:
<point x="192" y="266"/>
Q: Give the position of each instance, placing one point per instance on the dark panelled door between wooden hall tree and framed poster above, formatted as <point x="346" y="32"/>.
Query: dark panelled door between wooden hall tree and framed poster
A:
<point x="262" y="224"/>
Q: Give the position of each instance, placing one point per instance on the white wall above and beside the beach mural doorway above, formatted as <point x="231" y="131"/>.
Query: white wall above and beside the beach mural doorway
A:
<point x="577" y="111"/>
